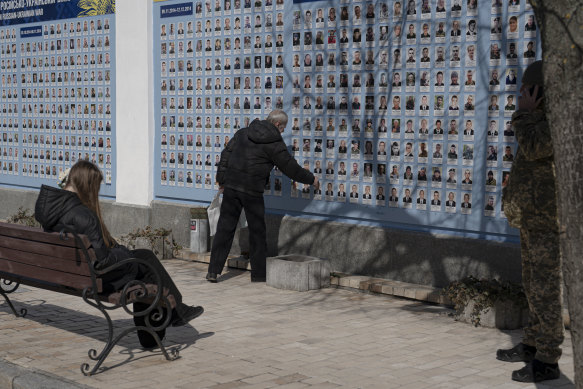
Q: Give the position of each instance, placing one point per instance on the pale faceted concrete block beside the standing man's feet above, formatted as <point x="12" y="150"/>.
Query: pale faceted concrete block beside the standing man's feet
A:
<point x="297" y="272"/>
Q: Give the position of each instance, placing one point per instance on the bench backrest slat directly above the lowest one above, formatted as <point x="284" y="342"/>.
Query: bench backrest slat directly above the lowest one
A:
<point x="44" y="261"/>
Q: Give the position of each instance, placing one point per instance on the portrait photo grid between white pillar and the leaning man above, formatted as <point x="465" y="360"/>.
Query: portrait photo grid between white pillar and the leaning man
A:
<point x="220" y="67"/>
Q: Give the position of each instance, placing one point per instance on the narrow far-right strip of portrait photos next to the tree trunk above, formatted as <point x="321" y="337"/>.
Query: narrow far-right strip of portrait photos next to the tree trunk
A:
<point x="513" y="46"/>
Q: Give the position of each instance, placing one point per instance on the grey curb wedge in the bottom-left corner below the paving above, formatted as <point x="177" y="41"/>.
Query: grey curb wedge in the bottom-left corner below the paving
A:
<point x="13" y="376"/>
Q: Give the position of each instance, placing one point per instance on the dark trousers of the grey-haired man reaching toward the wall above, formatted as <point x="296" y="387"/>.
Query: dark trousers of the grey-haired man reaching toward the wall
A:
<point x="233" y="202"/>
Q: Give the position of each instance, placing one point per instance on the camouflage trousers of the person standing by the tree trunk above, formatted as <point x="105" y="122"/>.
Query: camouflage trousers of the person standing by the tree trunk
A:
<point x="542" y="281"/>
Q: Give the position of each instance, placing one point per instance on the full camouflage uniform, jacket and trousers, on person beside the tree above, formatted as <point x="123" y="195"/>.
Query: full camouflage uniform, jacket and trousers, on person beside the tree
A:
<point x="530" y="204"/>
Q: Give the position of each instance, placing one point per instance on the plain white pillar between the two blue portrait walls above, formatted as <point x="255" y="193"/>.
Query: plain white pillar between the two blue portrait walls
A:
<point x="135" y="129"/>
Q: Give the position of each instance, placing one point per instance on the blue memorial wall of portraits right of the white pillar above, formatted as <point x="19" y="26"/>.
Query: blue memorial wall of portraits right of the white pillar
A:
<point x="402" y="108"/>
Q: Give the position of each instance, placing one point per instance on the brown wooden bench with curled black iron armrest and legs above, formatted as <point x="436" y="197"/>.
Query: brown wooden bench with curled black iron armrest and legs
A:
<point x="64" y="262"/>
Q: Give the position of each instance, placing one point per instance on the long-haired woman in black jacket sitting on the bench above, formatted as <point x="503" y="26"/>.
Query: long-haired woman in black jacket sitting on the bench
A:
<point x="77" y="207"/>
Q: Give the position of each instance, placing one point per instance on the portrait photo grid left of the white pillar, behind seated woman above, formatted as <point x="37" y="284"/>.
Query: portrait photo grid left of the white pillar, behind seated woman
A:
<point x="56" y="98"/>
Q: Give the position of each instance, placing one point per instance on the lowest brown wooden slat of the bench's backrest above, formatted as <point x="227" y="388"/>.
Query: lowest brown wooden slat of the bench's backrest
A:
<point x="47" y="275"/>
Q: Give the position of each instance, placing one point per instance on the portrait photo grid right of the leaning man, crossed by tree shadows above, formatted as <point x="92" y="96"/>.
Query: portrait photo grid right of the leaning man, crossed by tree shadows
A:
<point x="384" y="101"/>
